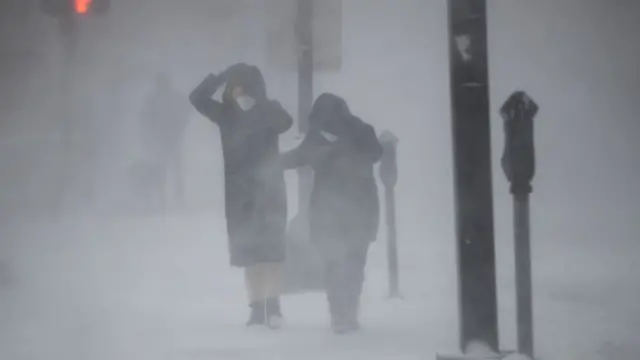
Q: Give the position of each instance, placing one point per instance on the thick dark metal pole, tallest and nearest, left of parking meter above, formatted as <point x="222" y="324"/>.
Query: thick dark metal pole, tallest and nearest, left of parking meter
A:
<point x="472" y="172"/>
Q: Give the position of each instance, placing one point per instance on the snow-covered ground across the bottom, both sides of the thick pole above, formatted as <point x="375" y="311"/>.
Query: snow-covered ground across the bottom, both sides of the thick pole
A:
<point x="154" y="288"/>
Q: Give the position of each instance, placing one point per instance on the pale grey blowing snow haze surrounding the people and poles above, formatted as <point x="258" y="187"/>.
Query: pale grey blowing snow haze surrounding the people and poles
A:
<point x="94" y="281"/>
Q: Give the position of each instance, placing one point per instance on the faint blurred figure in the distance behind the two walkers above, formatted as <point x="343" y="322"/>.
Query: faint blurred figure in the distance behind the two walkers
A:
<point x="165" y="118"/>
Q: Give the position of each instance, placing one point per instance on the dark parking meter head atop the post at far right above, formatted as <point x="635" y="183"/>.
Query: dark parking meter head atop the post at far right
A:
<point x="518" y="159"/>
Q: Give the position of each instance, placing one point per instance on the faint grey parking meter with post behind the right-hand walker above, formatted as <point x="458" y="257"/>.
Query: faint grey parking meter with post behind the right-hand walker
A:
<point x="389" y="175"/>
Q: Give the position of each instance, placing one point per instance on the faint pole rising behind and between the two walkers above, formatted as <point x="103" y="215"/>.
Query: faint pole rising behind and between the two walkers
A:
<point x="304" y="30"/>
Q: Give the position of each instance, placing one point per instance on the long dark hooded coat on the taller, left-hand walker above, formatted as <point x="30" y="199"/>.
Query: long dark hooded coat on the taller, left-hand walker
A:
<point x="255" y="192"/>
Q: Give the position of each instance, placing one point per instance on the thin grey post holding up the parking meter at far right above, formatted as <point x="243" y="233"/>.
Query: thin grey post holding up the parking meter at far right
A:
<point x="523" y="274"/>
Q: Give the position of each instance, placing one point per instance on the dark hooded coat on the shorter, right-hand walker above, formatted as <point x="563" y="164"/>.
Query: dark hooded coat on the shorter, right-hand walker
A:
<point x="344" y="203"/>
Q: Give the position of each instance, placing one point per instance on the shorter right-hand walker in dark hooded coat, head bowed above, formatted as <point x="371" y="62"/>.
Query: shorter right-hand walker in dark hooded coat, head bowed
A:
<point x="344" y="207"/>
